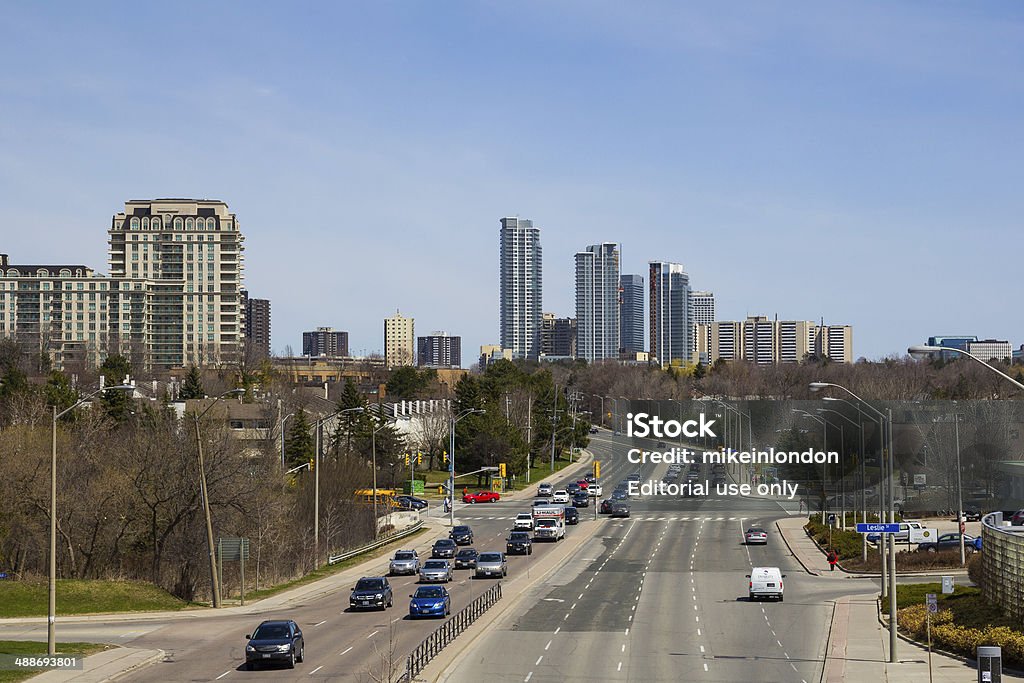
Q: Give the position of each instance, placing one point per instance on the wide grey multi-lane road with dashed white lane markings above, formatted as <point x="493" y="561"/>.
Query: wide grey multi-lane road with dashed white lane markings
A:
<point x="660" y="596"/>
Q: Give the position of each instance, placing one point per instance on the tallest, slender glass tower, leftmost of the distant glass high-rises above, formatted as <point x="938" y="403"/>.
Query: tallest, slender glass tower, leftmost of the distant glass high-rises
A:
<point x="521" y="288"/>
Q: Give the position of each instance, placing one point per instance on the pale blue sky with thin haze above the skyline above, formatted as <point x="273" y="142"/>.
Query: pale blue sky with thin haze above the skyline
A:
<point x="859" y="162"/>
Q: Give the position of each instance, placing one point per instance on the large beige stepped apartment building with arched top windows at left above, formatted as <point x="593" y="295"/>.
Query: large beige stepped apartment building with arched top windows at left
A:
<point x="174" y="296"/>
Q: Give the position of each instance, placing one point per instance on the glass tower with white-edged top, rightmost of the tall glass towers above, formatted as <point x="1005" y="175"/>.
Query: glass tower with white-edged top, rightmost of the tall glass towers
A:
<point x="671" y="319"/>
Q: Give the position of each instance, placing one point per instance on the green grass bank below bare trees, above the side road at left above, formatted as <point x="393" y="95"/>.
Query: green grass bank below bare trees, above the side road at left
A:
<point x="30" y="599"/>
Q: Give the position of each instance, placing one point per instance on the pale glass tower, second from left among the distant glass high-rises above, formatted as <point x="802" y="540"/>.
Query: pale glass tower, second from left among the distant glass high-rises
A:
<point x="598" y="303"/>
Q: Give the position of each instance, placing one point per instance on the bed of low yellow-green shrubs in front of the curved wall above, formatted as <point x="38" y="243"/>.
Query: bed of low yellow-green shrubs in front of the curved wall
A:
<point x="964" y="622"/>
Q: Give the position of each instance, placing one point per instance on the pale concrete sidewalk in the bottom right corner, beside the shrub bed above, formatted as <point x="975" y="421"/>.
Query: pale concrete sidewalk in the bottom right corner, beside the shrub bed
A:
<point x="859" y="651"/>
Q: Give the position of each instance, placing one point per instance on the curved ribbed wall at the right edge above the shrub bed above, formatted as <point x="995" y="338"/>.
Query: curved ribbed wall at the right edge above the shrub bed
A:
<point x="1003" y="565"/>
